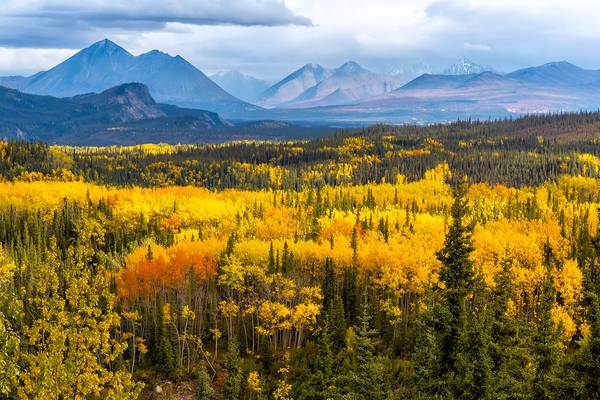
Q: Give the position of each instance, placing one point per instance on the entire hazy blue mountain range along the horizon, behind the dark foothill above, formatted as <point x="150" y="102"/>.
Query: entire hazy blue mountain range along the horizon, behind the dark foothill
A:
<point x="313" y="94"/>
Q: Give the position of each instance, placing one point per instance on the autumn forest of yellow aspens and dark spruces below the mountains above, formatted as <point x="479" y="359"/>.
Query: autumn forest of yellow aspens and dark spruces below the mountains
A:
<point x="455" y="261"/>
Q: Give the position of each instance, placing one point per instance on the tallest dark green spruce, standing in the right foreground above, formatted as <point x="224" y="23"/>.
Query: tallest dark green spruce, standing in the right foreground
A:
<point x="451" y="358"/>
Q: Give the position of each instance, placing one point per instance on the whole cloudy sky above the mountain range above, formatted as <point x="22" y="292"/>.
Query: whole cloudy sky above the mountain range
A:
<point x="271" y="38"/>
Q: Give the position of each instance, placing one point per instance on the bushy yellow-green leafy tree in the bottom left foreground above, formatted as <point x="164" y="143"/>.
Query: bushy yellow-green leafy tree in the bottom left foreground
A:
<point x="71" y="339"/>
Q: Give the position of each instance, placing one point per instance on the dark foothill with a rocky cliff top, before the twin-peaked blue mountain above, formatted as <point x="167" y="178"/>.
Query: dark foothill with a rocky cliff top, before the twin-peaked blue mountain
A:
<point x="79" y="118"/>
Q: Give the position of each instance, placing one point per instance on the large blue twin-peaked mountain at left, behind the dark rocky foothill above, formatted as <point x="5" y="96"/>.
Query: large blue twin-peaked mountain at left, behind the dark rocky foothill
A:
<point x="103" y="65"/>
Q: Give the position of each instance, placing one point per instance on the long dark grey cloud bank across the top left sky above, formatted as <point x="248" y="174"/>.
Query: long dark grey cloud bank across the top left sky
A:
<point x="71" y="23"/>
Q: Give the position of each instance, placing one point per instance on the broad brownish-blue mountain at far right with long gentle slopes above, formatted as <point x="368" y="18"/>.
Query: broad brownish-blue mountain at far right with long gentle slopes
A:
<point x="552" y="87"/>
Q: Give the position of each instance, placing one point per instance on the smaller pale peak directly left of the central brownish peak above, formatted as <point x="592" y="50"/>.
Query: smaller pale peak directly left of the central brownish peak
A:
<point x="293" y="85"/>
